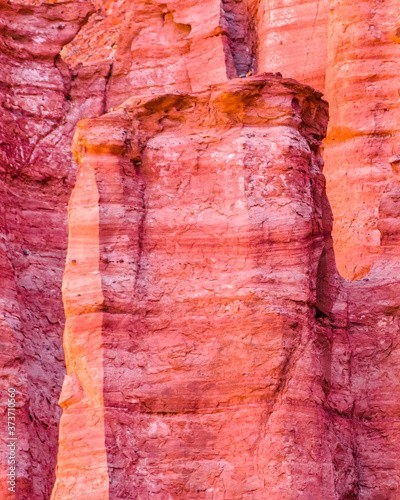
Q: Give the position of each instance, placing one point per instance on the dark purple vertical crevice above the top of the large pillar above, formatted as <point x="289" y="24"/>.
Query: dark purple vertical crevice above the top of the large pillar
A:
<point x="242" y="37"/>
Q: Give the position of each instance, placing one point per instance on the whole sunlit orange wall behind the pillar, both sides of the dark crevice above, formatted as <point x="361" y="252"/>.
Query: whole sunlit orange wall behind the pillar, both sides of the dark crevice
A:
<point x="350" y="54"/>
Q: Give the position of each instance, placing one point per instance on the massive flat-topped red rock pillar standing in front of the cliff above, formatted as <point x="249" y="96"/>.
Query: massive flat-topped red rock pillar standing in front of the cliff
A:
<point x="196" y="363"/>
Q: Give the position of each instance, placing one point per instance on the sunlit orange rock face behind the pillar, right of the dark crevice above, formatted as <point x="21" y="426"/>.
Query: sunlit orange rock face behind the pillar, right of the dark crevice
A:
<point x="352" y="55"/>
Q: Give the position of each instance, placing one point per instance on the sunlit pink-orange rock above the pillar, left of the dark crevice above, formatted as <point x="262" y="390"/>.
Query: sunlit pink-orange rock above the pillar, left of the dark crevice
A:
<point x="156" y="47"/>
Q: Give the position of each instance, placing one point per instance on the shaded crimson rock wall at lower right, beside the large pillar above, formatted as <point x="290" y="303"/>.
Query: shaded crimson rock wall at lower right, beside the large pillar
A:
<point x="373" y="326"/>
